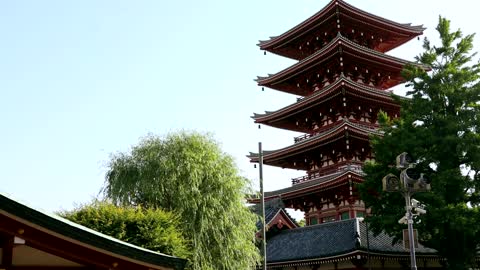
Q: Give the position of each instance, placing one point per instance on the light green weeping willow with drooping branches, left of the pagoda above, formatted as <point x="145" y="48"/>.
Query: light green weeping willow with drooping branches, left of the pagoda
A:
<point x="187" y="173"/>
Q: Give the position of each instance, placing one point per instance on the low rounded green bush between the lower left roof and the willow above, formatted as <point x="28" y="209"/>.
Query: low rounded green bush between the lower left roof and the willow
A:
<point x="152" y="229"/>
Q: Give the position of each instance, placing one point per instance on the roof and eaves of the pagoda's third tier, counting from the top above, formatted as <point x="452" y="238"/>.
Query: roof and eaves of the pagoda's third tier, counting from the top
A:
<point x="318" y="97"/>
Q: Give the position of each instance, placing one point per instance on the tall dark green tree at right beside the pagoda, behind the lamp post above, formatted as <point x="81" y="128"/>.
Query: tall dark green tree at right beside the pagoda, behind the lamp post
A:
<point x="439" y="127"/>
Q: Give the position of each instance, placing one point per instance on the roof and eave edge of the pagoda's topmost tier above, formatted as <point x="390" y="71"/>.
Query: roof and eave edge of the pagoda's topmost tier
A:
<point x="407" y="30"/>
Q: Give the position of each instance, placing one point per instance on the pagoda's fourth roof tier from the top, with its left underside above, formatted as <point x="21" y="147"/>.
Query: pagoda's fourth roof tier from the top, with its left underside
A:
<point x="341" y="130"/>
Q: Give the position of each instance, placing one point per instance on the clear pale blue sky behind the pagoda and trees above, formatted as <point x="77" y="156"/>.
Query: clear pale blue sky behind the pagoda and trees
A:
<point x="82" y="79"/>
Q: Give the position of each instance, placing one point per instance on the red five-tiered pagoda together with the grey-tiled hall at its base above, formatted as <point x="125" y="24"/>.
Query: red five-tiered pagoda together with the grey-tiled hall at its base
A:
<point x="343" y="78"/>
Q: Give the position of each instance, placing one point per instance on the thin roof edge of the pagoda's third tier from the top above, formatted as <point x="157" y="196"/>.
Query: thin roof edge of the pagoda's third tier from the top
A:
<point x="318" y="97"/>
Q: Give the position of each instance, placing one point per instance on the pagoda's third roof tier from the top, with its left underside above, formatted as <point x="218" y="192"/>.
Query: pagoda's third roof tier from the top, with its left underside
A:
<point x="342" y="87"/>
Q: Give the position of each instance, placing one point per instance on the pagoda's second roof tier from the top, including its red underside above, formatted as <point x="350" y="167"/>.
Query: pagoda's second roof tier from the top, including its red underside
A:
<point x="342" y="56"/>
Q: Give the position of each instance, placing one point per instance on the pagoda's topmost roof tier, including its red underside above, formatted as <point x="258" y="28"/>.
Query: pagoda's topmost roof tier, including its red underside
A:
<point x="338" y="16"/>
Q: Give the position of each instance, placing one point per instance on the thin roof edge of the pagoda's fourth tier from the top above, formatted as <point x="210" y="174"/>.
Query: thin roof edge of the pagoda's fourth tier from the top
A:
<point x="316" y="140"/>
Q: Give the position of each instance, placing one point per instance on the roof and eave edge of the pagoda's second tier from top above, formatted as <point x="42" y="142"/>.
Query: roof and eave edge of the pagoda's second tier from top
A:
<point x="279" y="80"/>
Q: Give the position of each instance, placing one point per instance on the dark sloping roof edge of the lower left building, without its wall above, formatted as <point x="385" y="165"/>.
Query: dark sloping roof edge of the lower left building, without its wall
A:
<point x="33" y="219"/>
